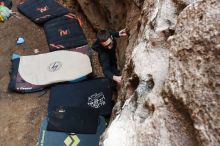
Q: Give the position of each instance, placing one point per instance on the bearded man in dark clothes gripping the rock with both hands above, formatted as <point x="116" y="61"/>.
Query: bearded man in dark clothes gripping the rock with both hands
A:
<point x="105" y="45"/>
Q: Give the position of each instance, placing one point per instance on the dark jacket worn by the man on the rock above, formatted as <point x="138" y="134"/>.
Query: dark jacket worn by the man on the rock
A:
<point x="107" y="57"/>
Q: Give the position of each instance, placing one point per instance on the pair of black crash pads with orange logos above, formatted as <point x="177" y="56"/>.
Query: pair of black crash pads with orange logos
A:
<point x="63" y="29"/>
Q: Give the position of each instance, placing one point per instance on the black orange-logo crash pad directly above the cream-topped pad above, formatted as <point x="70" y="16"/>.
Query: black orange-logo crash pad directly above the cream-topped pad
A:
<point x="64" y="33"/>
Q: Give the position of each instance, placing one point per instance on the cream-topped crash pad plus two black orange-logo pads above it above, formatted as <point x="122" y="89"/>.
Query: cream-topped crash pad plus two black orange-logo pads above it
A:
<point x="64" y="32"/>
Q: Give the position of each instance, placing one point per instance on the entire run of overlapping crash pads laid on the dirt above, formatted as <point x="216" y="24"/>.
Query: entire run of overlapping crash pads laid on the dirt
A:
<point x="75" y="109"/>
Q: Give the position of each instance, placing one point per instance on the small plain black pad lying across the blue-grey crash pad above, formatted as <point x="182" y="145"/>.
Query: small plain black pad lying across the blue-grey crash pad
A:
<point x="73" y="120"/>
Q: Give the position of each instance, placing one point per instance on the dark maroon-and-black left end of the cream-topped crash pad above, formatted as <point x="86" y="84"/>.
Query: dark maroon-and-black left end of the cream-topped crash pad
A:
<point x="17" y="83"/>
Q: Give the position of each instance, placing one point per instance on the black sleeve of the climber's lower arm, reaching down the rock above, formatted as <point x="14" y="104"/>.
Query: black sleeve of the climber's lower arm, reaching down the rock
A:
<point x="104" y="60"/>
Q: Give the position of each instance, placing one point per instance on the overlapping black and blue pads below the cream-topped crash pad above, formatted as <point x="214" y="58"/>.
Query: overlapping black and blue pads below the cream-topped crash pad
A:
<point x="75" y="113"/>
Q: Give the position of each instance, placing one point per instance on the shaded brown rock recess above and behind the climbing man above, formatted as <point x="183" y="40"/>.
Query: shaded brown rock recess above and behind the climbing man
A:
<point x="113" y="15"/>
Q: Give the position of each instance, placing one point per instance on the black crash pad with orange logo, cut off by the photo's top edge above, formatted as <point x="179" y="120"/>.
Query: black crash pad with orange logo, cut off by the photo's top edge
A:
<point x="41" y="11"/>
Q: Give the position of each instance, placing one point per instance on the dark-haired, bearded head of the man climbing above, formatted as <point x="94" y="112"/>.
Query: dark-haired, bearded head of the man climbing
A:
<point x="105" y="39"/>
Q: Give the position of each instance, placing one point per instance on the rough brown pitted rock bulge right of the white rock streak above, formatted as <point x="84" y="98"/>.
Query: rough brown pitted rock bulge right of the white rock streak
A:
<point x="194" y="77"/>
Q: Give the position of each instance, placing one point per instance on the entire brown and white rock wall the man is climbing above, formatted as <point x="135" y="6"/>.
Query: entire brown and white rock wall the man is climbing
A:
<point x="171" y="71"/>
